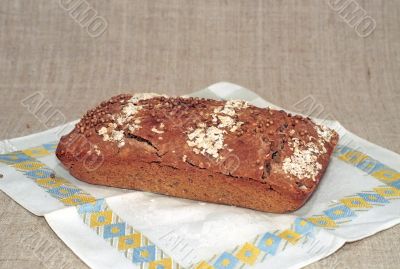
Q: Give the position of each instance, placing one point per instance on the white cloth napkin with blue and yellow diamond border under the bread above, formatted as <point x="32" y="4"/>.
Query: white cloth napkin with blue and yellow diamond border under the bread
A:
<point x="117" y="228"/>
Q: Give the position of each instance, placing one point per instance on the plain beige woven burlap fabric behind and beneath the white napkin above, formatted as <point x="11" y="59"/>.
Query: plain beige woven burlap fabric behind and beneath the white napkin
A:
<point x="283" y="50"/>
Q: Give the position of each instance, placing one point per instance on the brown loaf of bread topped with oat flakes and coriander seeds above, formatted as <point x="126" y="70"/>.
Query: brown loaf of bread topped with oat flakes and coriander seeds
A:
<point x="225" y="152"/>
